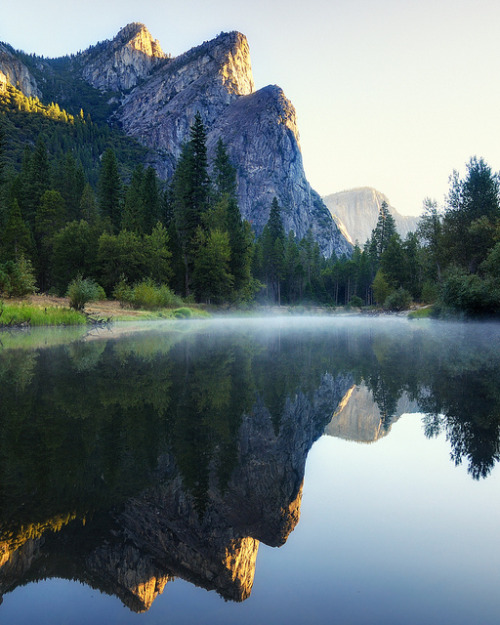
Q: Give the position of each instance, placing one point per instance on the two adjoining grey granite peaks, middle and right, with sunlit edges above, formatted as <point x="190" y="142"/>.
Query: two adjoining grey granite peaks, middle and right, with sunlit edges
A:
<point x="259" y="128"/>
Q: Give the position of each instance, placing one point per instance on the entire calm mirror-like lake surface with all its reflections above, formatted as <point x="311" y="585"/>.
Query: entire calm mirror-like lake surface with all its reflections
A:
<point x="290" y="471"/>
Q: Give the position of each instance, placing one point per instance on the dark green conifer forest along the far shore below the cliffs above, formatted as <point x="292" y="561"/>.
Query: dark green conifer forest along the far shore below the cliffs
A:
<point x="81" y="207"/>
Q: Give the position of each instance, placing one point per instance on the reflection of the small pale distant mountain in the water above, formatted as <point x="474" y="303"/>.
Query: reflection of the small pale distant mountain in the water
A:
<point x="358" y="417"/>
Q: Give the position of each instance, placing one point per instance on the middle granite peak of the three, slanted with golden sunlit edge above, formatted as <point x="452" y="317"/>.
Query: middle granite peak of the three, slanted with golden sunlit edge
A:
<point x="205" y="79"/>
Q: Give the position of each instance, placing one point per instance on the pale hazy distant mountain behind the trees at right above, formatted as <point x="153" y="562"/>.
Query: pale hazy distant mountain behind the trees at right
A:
<point x="356" y="212"/>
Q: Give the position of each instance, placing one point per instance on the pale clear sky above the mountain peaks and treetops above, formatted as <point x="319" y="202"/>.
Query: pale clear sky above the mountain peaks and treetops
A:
<point x="392" y="94"/>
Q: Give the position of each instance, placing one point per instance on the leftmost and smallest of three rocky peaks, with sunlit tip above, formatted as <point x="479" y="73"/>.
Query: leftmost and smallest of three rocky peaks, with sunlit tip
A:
<point x="123" y="62"/>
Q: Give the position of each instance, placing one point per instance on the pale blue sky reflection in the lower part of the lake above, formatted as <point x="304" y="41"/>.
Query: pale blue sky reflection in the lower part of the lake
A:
<point x="390" y="533"/>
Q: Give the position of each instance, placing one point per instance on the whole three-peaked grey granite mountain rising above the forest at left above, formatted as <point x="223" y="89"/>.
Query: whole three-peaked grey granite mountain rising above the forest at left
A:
<point x="130" y="83"/>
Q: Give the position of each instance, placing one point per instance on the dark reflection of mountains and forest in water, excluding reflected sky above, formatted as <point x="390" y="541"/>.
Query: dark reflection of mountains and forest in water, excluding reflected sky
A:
<point x="128" y="461"/>
